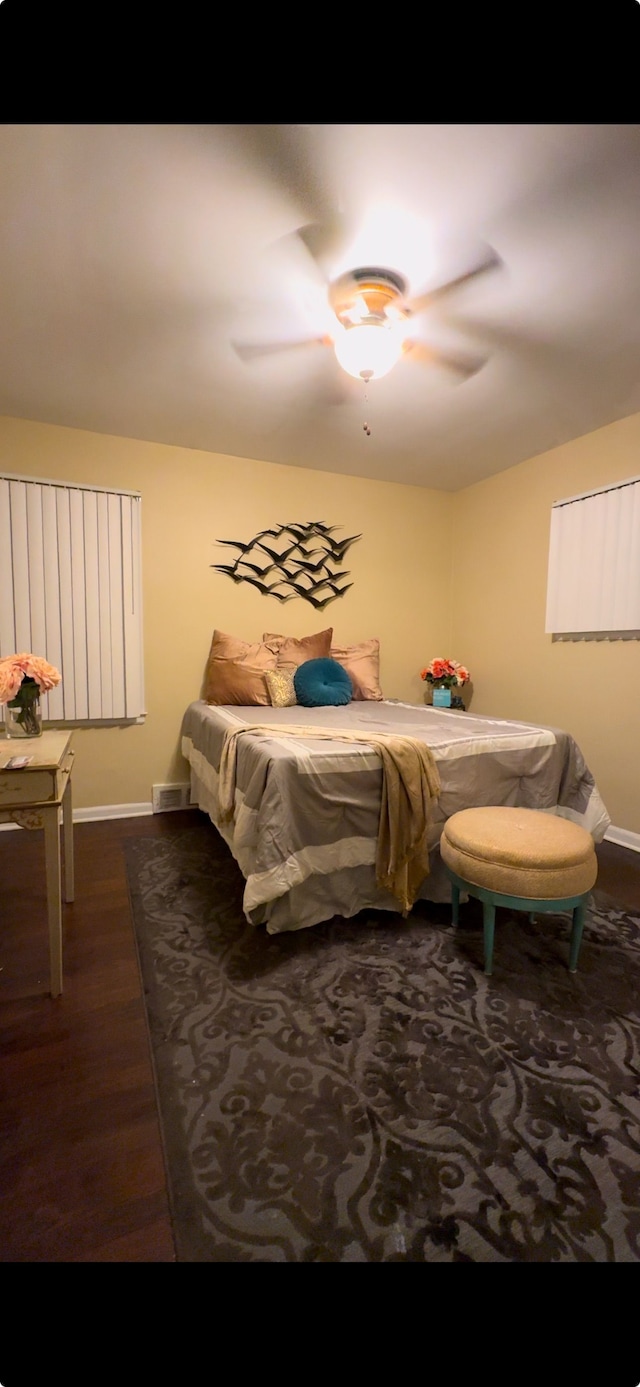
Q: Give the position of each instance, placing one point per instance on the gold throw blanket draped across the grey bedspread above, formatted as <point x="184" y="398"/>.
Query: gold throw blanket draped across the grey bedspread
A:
<point x="410" y="784"/>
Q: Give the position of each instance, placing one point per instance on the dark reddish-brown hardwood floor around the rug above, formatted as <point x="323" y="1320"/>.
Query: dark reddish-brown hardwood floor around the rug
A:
<point x="81" y="1160"/>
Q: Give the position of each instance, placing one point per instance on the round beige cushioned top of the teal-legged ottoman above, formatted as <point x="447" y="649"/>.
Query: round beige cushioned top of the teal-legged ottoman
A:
<point x="520" y="852"/>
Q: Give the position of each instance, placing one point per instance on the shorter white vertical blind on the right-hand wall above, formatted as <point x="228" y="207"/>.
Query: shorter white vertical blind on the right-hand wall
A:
<point x="593" y="580"/>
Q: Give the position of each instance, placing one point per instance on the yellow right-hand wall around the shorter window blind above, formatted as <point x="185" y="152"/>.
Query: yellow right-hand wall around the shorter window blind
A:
<point x="592" y="689"/>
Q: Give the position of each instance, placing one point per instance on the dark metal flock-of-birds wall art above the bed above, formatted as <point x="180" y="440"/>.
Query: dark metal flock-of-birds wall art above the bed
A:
<point x="302" y="561"/>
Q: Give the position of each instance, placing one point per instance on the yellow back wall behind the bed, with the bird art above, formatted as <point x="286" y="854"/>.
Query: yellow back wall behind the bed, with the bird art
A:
<point x="401" y="569"/>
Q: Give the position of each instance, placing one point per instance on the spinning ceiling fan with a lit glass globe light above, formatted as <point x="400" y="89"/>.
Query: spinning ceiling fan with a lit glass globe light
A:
<point x="374" y="316"/>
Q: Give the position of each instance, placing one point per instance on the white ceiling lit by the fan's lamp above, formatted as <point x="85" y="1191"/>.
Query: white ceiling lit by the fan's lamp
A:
<point x="137" y="259"/>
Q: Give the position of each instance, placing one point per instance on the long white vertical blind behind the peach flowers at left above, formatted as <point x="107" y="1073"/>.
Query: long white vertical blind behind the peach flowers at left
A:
<point x="71" y="593"/>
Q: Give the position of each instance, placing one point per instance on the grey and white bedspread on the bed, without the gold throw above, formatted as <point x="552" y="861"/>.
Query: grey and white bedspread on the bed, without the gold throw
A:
<point x="306" y="809"/>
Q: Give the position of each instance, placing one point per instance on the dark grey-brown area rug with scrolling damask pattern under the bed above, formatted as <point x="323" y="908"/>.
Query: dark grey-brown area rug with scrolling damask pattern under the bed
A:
<point x="359" y="1092"/>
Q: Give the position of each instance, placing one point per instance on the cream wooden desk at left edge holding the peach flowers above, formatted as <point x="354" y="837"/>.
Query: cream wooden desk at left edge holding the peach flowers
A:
<point x="33" y="798"/>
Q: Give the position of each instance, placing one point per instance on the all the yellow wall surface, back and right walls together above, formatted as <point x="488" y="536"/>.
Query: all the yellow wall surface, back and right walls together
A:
<point x="435" y="574"/>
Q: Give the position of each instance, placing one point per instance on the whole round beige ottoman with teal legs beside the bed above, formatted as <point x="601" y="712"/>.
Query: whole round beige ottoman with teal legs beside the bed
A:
<point x="521" y="859"/>
